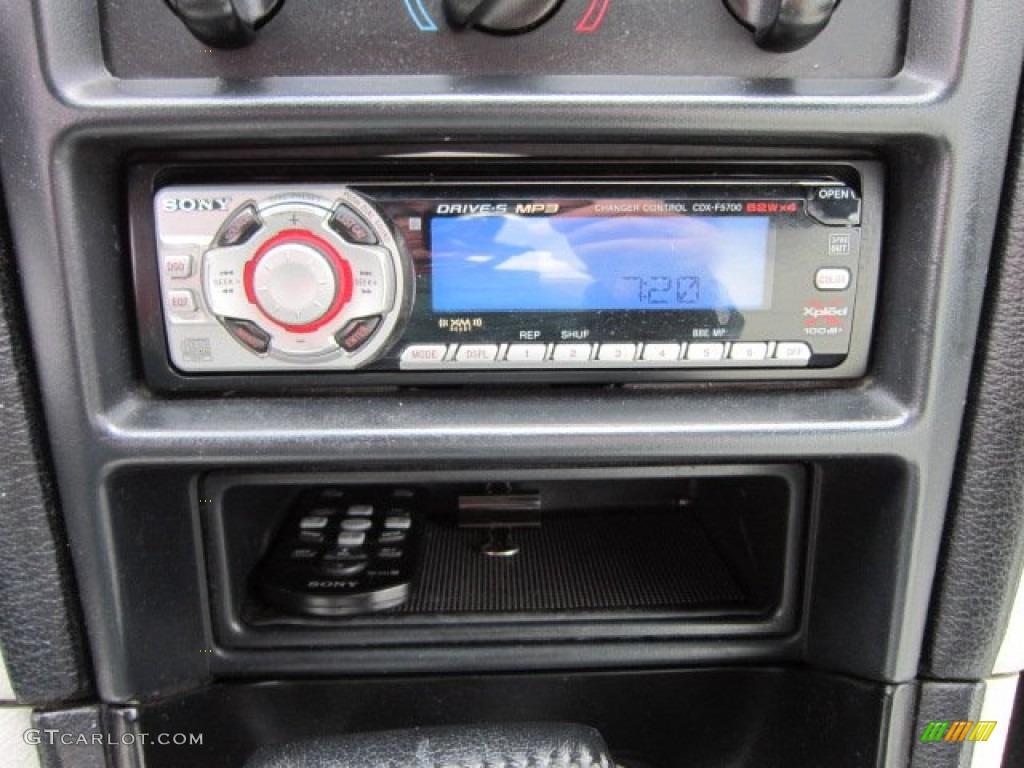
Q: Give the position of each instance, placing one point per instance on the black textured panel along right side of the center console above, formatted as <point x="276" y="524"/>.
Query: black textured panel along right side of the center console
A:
<point x="984" y="543"/>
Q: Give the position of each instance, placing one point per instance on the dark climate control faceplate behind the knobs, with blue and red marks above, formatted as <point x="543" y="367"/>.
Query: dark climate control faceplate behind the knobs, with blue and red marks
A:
<point x="653" y="38"/>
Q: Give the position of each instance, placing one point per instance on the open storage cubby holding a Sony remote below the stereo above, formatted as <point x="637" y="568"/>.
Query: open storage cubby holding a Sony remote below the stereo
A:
<point x="574" y="554"/>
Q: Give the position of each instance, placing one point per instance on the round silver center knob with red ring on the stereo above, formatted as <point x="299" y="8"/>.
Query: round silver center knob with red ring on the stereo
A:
<point x="298" y="281"/>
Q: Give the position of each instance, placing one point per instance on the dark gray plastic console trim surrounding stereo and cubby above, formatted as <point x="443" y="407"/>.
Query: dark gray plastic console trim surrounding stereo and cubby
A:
<point x="941" y="125"/>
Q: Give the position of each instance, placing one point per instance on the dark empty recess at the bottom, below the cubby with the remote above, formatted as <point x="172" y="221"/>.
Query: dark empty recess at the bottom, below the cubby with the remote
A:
<point x="689" y="718"/>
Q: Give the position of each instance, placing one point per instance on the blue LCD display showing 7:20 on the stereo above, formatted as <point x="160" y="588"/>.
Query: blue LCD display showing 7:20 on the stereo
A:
<point x="507" y="264"/>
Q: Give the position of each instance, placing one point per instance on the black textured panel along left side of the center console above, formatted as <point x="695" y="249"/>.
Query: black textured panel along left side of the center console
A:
<point x="39" y="625"/>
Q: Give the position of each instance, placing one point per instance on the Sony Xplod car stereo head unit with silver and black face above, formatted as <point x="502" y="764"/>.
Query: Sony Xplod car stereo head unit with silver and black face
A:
<point x="736" y="277"/>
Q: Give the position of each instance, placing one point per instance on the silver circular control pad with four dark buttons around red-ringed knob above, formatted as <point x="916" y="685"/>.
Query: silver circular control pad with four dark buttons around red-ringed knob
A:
<point x="303" y="277"/>
